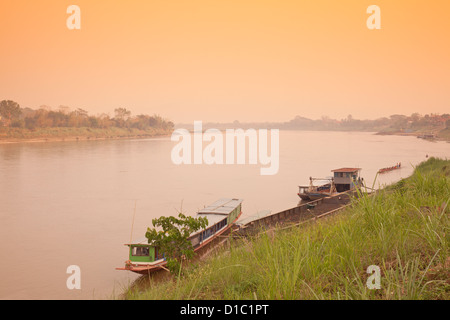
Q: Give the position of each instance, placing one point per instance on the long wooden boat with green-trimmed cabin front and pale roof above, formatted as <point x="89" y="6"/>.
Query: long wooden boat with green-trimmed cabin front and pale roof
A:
<point x="144" y="258"/>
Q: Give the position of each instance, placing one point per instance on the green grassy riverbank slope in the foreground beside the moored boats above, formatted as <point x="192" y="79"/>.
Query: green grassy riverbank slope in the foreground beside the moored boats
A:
<point x="404" y="230"/>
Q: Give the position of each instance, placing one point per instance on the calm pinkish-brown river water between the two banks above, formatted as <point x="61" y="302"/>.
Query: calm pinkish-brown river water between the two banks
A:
<point x="72" y="203"/>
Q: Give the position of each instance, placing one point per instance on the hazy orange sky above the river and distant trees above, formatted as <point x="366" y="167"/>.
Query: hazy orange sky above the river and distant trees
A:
<point x="225" y="60"/>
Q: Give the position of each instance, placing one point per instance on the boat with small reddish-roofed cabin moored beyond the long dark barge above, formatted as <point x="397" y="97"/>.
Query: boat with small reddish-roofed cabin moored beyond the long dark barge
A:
<point x="344" y="179"/>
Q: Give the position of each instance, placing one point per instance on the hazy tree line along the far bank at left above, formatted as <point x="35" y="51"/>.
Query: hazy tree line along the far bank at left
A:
<point x="12" y="115"/>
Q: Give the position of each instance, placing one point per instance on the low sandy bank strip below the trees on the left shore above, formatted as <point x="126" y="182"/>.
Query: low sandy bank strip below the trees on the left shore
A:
<point x="15" y="135"/>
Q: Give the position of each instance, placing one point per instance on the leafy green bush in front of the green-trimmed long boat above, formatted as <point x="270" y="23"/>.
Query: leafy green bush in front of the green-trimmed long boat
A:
<point x="172" y="237"/>
